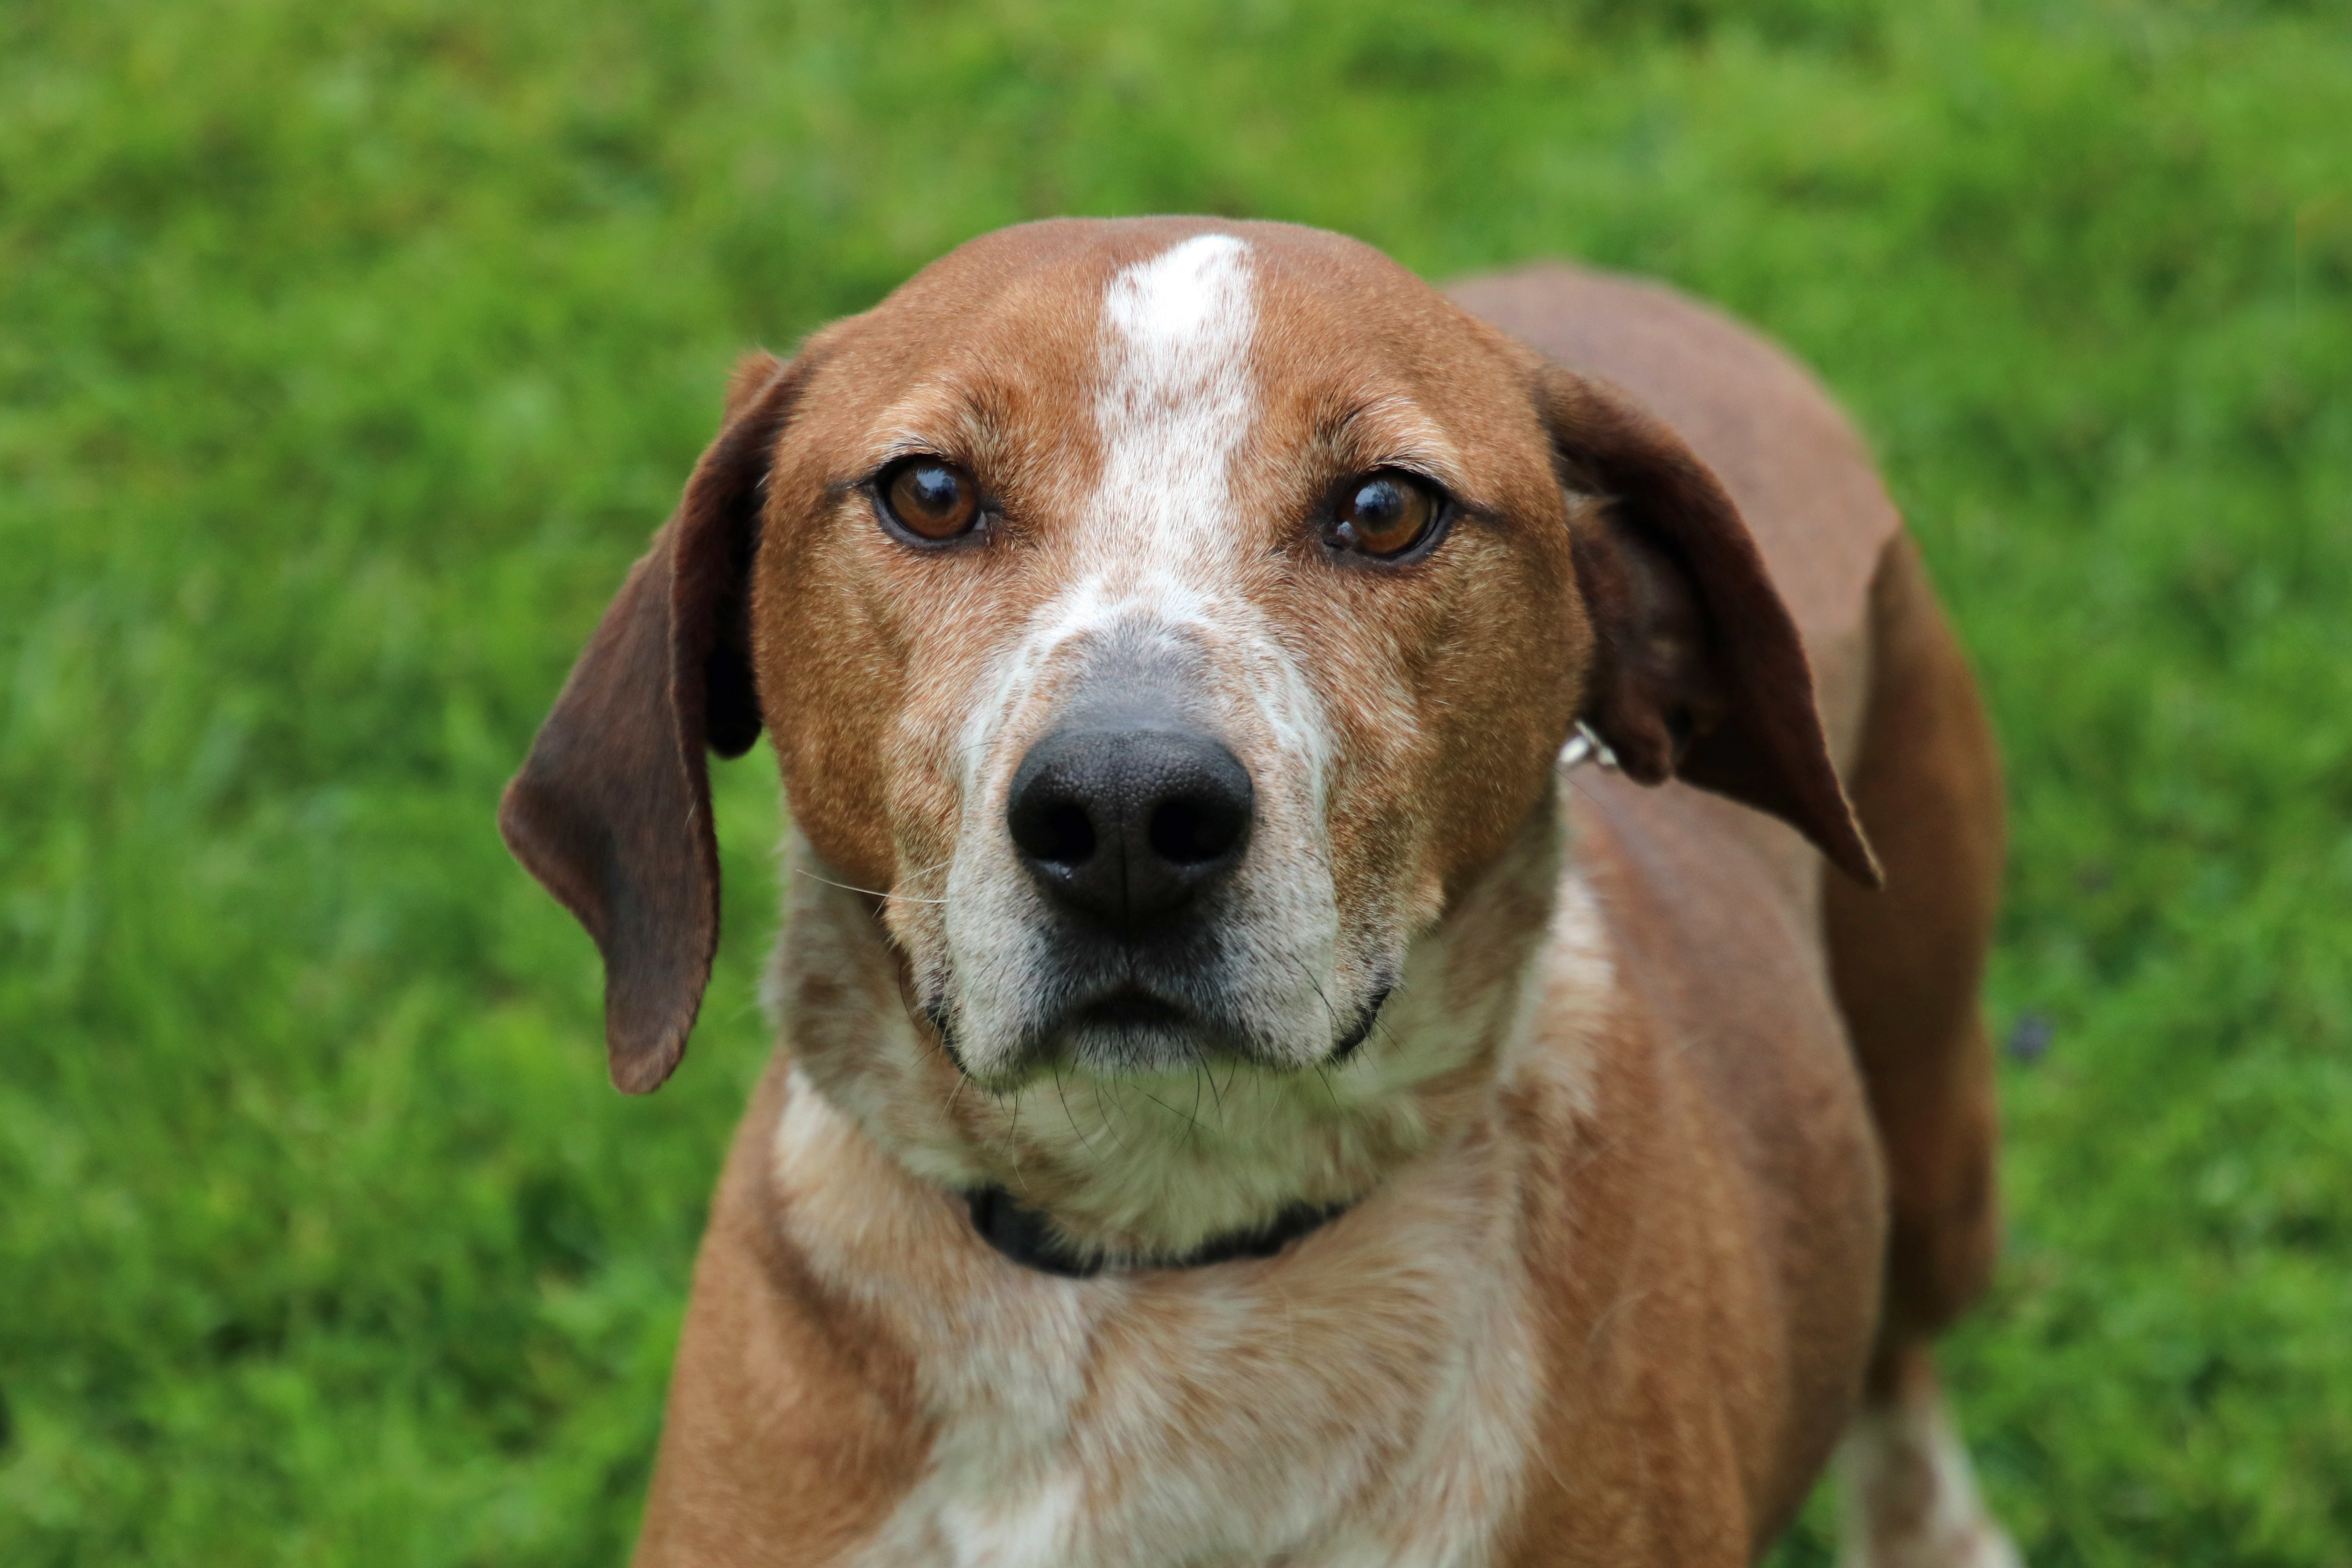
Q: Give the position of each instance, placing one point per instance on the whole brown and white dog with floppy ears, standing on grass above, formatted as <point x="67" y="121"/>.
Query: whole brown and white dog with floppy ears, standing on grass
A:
<point x="1243" y="1099"/>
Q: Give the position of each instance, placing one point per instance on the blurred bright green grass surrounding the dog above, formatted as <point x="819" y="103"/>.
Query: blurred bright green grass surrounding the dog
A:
<point x="349" y="354"/>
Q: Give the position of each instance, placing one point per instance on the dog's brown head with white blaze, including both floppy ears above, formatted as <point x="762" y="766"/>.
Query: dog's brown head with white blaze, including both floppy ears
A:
<point x="1165" y="622"/>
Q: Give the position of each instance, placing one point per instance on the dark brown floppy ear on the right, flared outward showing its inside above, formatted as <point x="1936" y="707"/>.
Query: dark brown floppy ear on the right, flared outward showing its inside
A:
<point x="1699" y="671"/>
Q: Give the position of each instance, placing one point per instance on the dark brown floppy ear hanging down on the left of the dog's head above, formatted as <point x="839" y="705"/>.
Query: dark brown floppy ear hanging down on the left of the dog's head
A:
<point x="613" y="808"/>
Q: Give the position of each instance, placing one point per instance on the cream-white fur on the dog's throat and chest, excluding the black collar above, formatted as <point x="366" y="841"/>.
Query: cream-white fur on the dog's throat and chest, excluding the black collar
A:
<point x="1363" y="1400"/>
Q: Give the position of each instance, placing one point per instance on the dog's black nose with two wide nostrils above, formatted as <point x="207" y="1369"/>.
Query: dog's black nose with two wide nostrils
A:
<point x="1128" y="822"/>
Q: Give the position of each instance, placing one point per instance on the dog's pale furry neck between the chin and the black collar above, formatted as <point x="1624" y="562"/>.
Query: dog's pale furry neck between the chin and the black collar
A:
<point x="1163" y="1167"/>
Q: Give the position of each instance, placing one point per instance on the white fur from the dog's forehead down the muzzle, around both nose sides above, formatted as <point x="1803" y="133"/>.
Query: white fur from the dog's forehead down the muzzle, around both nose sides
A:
<point x="1154" y="572"/>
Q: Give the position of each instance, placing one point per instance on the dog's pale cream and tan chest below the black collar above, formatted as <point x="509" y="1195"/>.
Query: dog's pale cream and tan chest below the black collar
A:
<point x="1361" y="1400"/>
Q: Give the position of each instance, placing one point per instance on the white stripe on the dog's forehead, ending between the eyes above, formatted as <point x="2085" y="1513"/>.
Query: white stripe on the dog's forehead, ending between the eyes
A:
<point x="1177" y="403"/>
